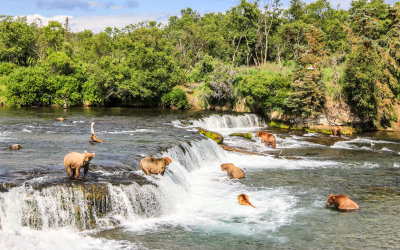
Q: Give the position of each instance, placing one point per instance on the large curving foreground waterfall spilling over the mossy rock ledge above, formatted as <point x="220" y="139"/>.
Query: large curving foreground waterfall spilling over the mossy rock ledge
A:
<point x="88" y="206"/>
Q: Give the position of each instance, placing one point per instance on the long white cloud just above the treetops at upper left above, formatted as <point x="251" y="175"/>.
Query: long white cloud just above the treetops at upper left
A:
<point x="99" y="23"/>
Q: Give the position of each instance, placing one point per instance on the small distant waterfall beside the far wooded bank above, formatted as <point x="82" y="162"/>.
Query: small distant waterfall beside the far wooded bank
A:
<point x="218" y="122"/>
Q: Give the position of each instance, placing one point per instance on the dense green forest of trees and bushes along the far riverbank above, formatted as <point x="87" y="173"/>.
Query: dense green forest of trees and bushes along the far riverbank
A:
<point x="298" y="60"/>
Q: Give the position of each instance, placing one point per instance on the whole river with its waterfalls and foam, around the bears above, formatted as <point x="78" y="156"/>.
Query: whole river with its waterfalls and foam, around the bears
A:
<point x="194" y="205"/>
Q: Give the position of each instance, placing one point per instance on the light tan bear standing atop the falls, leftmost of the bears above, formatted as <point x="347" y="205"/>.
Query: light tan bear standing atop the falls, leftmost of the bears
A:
<point x="75" y="161"/>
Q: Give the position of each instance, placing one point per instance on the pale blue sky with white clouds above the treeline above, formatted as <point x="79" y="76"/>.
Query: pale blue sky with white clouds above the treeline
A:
<point x="96" y="15"/>
